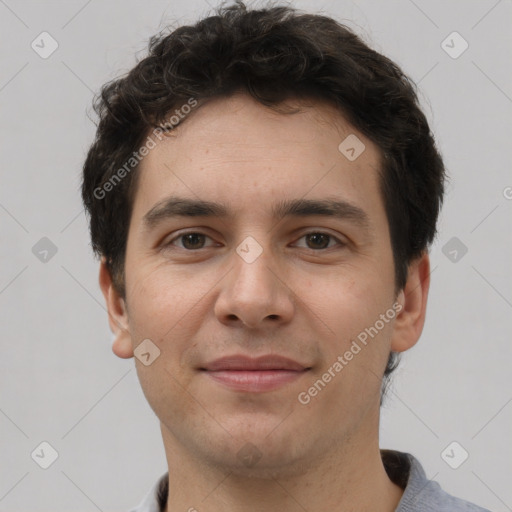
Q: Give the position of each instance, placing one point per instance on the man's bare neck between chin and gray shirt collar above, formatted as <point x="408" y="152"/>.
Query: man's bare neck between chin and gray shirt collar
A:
<point x="350" y="477"/>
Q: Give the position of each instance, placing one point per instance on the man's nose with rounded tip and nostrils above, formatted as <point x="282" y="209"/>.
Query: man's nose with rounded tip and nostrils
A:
<point x="255" y="295"/>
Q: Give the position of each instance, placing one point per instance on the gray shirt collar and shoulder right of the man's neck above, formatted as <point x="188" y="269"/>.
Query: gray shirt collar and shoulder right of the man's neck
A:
<point x="421" y="494"/>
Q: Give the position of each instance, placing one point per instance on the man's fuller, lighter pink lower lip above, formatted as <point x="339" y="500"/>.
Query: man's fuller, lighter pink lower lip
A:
<point x="255" y="381"/>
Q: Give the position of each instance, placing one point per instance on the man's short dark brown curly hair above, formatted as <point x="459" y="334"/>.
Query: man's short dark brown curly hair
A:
<point x="274" y="53"/>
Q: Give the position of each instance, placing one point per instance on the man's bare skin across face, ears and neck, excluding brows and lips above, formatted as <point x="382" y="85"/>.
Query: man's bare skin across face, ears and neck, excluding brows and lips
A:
<point x="297" y="299"/>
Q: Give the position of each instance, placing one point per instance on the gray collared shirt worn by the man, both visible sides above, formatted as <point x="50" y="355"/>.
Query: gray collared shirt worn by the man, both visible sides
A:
<point x="420" y="494"/>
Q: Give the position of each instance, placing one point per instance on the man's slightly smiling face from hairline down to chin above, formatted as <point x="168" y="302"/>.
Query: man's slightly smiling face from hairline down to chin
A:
<point x="258" y="256"/>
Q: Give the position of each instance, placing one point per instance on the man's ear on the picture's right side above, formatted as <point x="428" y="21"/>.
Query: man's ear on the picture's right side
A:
<point x="413" y="299"/>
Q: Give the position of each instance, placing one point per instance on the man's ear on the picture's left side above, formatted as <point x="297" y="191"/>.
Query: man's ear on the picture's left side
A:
<point x="117" y="314"/>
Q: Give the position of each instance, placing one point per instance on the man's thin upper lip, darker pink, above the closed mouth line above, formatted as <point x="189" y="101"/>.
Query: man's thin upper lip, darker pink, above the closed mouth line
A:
<point x="246" y="363"/>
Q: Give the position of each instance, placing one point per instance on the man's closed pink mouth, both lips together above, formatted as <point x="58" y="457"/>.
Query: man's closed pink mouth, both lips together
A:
<point x="254" y="375"/>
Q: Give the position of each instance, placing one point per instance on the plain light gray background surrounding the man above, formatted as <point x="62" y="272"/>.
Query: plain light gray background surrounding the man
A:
<point x="60" y="382"/>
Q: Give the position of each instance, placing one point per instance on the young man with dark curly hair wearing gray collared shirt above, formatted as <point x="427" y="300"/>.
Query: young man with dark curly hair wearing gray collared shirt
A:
<point x="262" y="191"/>
